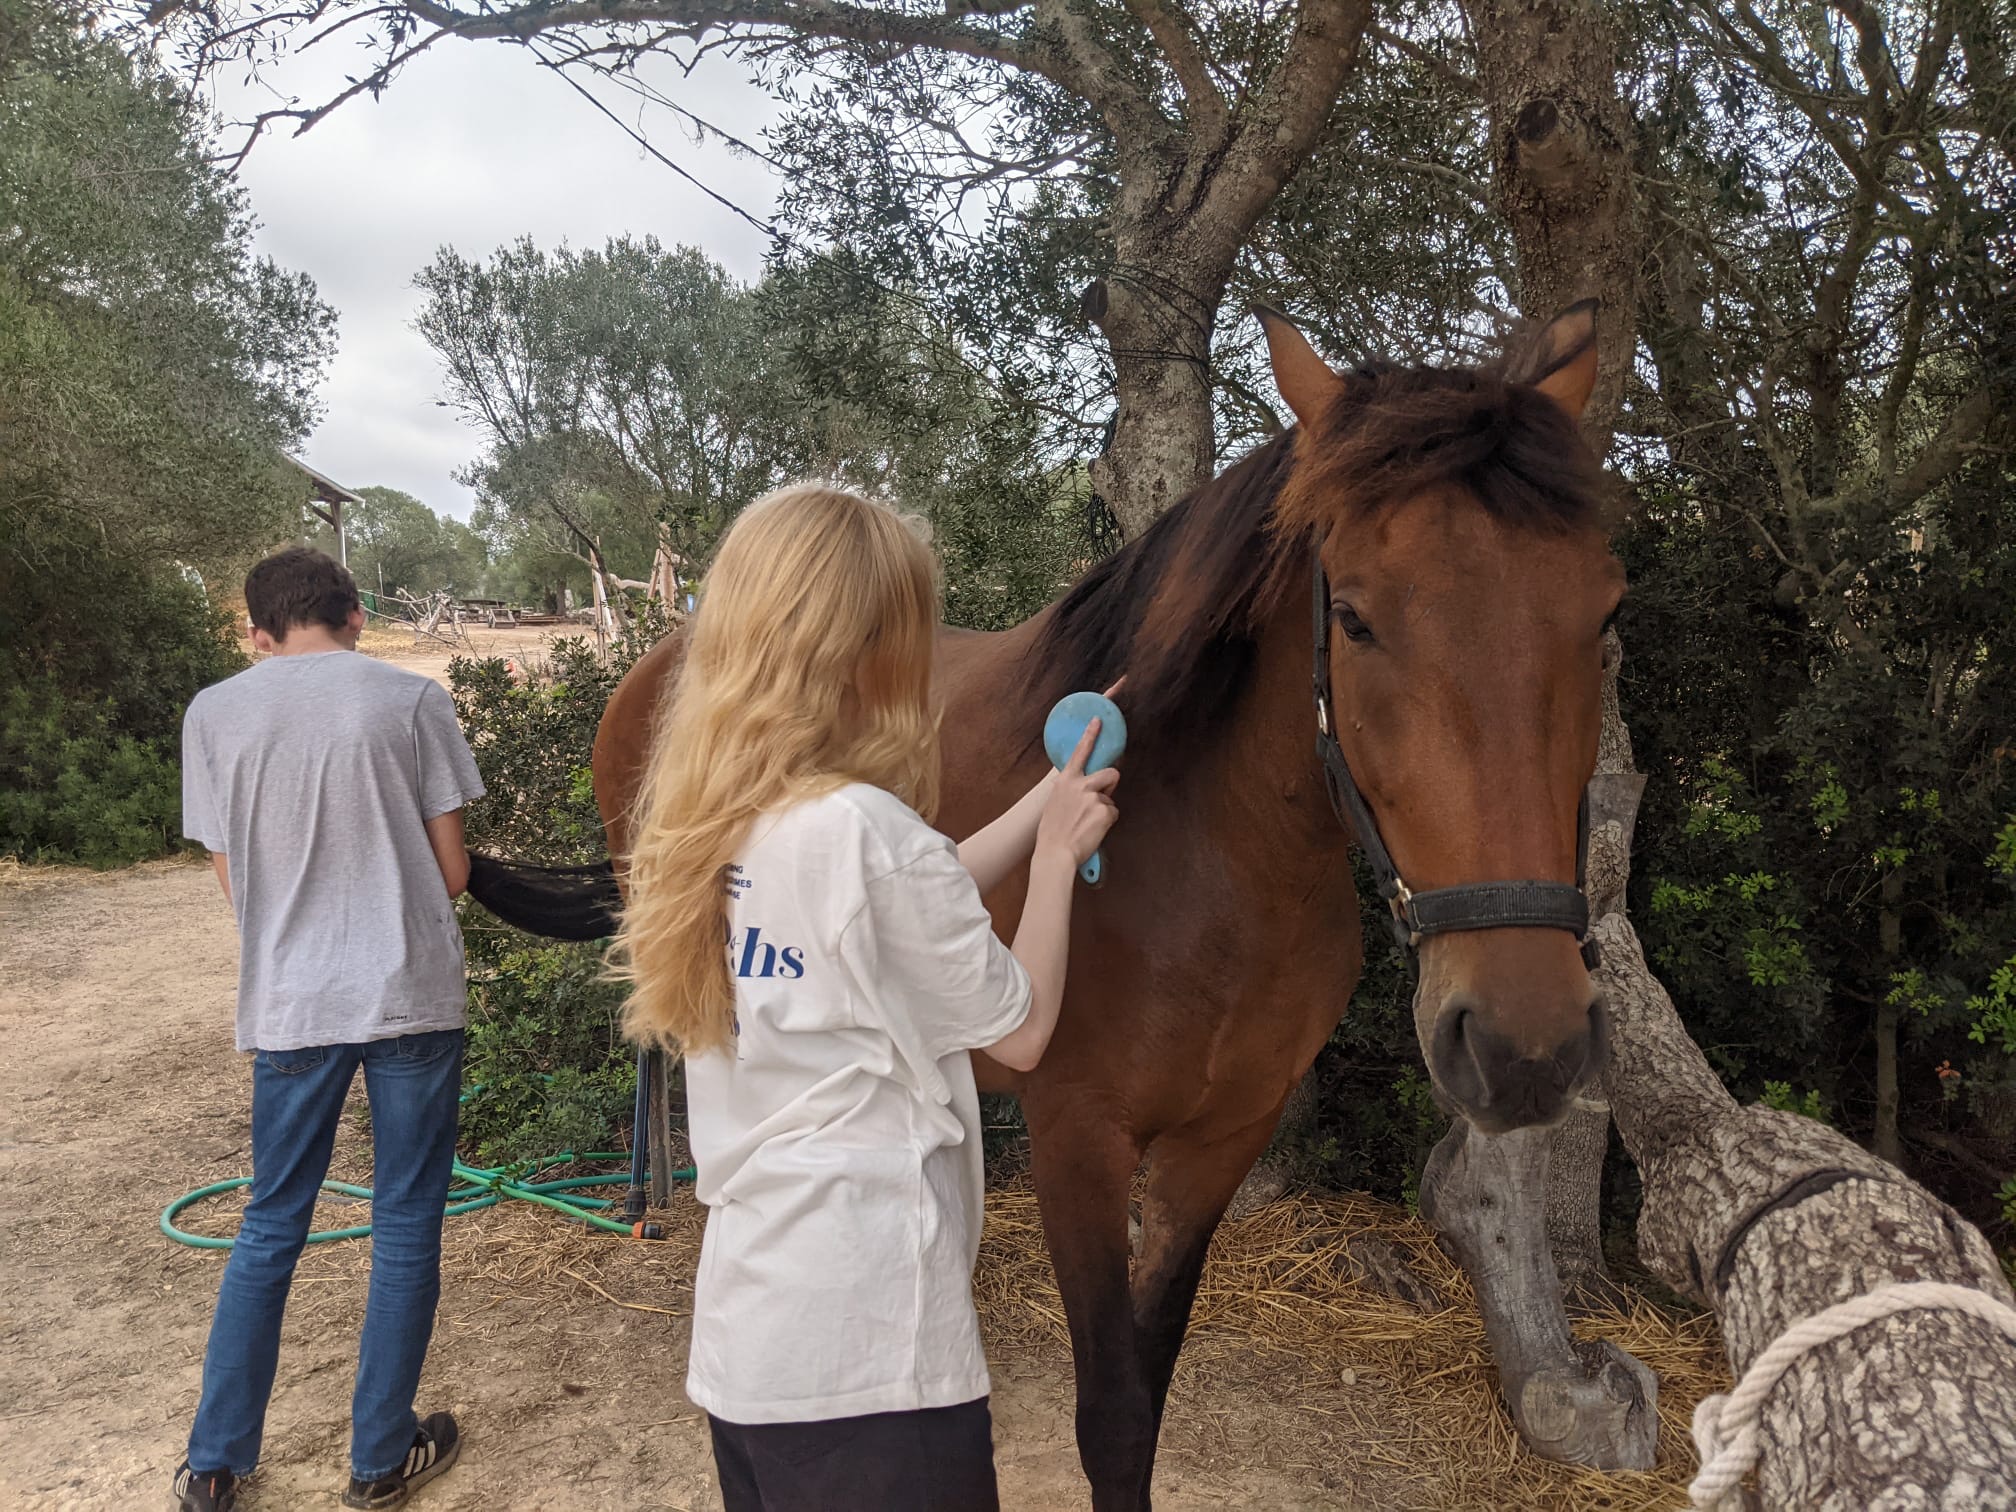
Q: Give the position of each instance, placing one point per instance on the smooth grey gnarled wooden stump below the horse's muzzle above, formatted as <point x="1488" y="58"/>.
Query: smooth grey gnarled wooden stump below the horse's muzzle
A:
<point x="1580" y="1402"/>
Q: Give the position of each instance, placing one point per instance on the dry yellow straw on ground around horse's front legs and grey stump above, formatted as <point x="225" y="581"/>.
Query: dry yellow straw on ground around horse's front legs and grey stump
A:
<point x="1360" y="1382"/>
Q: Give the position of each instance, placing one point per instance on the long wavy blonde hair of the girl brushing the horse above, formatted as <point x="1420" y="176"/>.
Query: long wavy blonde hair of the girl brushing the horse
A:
<point x="807" y="666"/>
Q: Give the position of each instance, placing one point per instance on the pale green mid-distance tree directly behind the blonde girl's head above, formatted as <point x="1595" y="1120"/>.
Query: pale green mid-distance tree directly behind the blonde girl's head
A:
<point x="640" y="388"/>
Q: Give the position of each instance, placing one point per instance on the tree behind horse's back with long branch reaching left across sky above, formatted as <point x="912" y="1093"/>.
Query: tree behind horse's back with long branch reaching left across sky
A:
<point x="1152" y="138"/>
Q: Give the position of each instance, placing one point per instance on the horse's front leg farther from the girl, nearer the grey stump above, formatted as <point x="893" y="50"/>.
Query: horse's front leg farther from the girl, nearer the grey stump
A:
<point x="1190" y="1184"/>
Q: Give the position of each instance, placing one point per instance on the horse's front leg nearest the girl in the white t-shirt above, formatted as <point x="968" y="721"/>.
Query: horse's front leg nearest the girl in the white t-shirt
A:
<point x="1086" y="1166"/>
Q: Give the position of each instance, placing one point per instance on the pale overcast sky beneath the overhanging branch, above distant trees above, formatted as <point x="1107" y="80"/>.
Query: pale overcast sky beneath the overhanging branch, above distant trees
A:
<point x="471" y="148"/>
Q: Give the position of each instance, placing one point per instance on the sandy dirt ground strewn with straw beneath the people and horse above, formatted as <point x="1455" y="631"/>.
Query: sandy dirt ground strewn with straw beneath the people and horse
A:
<point x="563" y="1352"/>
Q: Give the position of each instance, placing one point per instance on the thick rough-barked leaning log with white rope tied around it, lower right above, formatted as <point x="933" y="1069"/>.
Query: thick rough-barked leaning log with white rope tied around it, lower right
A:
<point x="1769" y="1219"/>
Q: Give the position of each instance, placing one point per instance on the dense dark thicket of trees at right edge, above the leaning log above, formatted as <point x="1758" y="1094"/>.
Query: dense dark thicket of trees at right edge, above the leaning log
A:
<point x="1828" y="559"/>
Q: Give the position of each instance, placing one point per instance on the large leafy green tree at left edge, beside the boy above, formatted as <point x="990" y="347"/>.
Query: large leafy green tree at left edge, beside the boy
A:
<point x="150" y="372"/>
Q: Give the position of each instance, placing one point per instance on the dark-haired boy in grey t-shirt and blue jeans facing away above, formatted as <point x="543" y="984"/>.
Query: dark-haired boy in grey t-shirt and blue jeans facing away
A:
<point x="330" y="789"/>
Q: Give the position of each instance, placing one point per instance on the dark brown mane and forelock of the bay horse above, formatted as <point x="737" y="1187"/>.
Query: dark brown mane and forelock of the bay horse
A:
<point x="1182" y="608"/>
